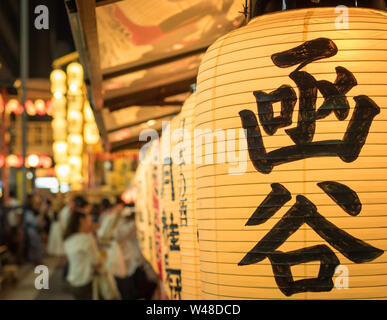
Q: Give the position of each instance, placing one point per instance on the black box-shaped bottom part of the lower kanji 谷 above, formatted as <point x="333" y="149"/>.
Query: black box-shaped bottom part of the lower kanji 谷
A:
<point x="282" y="261"/>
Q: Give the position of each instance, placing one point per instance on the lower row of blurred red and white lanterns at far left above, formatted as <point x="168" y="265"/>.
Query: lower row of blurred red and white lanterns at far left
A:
<point x="32" y="161"/>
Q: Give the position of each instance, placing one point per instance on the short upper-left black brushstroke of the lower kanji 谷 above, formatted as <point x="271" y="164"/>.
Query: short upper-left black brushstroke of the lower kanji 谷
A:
<point x="270" y="205"/>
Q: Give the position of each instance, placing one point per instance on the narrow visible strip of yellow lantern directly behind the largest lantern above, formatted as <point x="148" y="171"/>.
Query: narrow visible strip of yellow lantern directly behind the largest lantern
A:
<point x="185" y="173"/>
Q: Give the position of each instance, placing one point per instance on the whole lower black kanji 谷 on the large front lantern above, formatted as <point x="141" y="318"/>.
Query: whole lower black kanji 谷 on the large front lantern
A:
<point x="304" y="211"/>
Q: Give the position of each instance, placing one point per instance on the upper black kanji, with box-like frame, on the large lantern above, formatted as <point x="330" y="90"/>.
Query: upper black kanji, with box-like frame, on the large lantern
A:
<point x="334" y="94"/>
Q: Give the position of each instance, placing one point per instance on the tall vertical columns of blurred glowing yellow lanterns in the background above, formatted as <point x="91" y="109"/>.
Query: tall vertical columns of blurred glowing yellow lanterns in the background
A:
<point x="73" y="124"/>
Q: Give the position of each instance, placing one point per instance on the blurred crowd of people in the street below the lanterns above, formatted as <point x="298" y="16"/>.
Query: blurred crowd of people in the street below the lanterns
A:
<point x="96" y="243"/>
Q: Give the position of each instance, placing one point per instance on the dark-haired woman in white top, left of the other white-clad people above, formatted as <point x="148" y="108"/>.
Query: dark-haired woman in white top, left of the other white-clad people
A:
<point x="82" y="254"/>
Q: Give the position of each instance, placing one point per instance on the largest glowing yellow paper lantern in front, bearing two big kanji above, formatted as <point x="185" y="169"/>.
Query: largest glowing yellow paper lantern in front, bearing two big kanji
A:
<point x="306" y="218"/>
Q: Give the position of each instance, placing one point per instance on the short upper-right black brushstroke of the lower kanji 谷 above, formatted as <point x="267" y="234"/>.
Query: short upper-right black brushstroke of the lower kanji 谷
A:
<point x="344" y="196"/>
